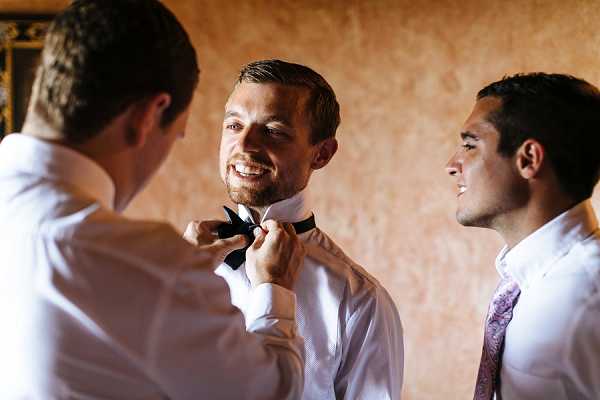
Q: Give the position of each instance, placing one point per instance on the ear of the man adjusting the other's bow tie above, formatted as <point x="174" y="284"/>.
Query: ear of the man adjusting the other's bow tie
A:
<point x="146" y="116"/>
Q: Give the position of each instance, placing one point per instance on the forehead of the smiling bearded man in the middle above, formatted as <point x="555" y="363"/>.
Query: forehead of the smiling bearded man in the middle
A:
<point x="268" y="98"/>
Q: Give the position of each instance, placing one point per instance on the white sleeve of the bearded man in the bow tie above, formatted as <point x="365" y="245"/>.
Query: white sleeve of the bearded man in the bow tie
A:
<point x="373" y="352"/>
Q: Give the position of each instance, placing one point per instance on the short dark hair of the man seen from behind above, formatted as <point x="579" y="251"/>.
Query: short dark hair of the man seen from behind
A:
<point x="100" y="56"/>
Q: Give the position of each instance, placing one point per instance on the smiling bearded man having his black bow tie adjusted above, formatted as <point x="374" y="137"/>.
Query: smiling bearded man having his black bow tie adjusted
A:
<point x="279" y="126"/>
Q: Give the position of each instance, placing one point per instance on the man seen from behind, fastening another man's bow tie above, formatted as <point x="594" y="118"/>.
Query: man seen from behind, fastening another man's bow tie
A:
<point x="98" y="306"/>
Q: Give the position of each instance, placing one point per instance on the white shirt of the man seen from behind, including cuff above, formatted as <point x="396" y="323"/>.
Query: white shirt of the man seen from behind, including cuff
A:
<point x="97" y="306"/>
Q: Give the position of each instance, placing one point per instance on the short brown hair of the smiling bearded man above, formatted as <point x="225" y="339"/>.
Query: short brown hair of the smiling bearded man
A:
<point x="322" y="106"/>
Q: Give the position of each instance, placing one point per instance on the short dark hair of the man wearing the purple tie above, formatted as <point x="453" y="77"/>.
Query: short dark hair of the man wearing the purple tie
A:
<point x="559" y="111"/>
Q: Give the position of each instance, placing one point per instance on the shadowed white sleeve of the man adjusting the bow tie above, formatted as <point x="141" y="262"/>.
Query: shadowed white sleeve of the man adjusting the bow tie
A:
<point x="156" y="300"/>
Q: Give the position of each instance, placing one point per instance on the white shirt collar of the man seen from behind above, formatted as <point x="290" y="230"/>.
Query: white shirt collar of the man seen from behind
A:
<point x="31" y="155"/>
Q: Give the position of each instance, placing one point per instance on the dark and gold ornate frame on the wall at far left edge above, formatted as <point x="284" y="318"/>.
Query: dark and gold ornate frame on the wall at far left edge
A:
<point x="21" y="41"/>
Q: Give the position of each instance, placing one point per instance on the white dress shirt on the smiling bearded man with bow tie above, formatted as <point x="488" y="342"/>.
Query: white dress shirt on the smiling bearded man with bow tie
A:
<point x="352" y="331"/>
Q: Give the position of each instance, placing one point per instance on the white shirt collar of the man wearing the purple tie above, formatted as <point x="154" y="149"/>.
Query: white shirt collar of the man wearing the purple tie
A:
<point x="532" y="257"/>
